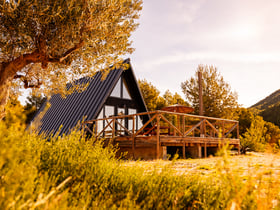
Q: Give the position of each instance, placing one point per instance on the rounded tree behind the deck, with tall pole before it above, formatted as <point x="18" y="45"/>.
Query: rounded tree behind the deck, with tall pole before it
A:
<point x="218" y="98"/>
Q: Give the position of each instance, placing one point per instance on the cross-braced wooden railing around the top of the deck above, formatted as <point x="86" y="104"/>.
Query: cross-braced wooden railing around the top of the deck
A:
<point x="162" y="123"/>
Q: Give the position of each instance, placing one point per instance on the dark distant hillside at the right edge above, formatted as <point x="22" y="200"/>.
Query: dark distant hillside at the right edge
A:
<point x="270" y="108"/>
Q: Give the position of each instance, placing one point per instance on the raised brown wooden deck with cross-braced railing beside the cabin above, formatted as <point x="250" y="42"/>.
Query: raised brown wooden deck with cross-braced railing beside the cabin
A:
<point x="196" y="135"/>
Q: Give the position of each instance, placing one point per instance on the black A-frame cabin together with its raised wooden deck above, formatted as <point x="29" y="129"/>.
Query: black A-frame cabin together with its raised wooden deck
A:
<point x="114" y="110"/>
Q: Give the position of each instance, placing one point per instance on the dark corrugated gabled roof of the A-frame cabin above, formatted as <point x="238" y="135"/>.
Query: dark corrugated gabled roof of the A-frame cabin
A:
<point x="86" y="105"/>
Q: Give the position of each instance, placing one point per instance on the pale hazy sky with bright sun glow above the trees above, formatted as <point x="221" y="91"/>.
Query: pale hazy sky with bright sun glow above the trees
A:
<point x="240" y="37"/>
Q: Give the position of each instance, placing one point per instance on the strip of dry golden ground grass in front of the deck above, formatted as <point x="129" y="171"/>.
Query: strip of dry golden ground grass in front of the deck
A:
<point x="252" y="164"/>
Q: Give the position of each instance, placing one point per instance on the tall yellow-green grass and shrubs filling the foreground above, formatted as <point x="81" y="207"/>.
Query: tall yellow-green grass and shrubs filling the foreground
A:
<point x="70" y="172"/>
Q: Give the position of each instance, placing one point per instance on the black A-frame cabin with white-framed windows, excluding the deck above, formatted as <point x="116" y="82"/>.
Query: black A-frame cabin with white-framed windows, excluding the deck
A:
<point x="117" y="94"/>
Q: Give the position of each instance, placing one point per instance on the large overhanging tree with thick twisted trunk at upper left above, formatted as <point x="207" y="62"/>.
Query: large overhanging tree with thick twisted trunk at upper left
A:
<point x="45" y="43"/>
